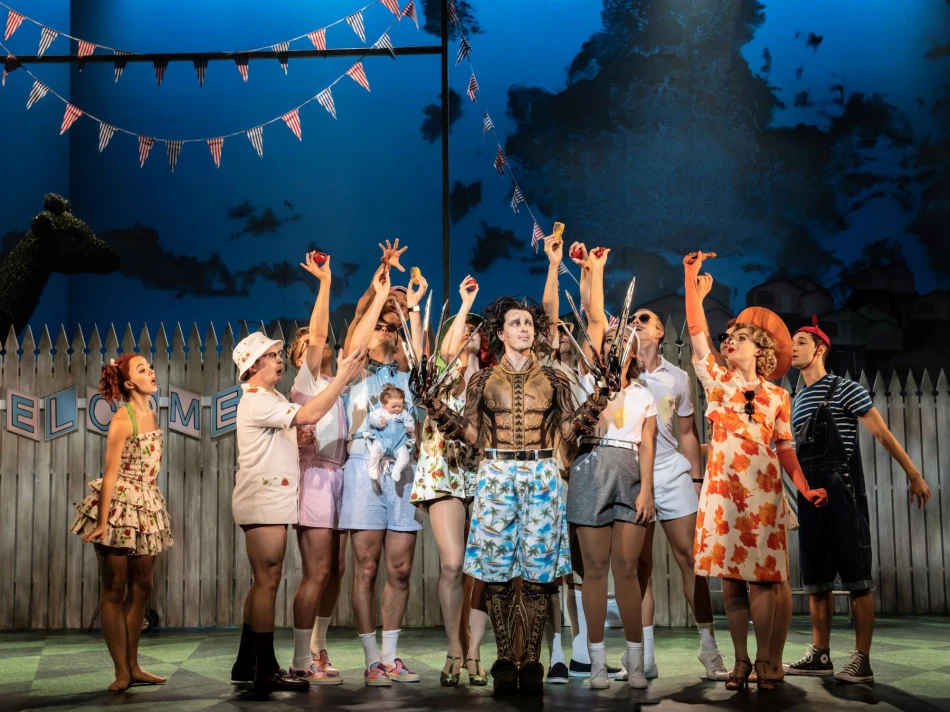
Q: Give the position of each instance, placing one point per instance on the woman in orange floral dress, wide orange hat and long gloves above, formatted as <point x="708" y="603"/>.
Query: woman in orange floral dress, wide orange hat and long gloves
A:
<point x="741" y="523"/>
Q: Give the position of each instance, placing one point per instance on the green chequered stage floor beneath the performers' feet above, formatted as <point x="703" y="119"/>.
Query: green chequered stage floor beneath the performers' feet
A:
<point x="910" y="658"/>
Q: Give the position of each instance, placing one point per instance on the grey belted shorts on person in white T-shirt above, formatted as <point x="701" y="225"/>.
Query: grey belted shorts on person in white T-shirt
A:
<point x="605" y="484"/>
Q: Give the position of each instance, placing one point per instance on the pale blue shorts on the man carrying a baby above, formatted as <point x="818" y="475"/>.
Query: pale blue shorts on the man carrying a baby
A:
<point x="376" y="505"/>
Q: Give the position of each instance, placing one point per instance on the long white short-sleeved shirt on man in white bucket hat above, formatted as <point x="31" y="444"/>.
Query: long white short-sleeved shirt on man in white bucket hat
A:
<point x="265" y="486"/>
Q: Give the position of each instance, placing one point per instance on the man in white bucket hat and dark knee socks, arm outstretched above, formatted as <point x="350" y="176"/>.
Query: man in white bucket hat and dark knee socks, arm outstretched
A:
<point x="264" y="500"/>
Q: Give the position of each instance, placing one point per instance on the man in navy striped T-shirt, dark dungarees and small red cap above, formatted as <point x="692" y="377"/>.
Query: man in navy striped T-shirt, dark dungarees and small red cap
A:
<point x="836" y="541"/>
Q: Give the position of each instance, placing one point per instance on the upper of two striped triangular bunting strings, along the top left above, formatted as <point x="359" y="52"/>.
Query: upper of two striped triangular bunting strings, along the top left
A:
<point x="317" y="37"/>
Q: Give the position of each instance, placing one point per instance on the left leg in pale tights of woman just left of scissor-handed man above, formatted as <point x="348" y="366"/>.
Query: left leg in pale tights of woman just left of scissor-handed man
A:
<point x="448" y="527"/>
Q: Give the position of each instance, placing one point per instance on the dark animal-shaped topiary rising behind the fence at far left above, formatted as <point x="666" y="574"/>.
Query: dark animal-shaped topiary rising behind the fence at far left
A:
<point x="57" y="241"/>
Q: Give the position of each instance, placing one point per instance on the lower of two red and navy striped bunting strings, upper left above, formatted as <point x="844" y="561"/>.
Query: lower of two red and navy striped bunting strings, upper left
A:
<point x="357" y="72"/>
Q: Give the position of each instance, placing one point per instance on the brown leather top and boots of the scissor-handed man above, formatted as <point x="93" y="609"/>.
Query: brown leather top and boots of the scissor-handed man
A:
<point x="507" y="409"/>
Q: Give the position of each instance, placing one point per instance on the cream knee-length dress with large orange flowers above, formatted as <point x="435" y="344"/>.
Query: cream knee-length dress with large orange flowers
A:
<point x="743" y="514"/>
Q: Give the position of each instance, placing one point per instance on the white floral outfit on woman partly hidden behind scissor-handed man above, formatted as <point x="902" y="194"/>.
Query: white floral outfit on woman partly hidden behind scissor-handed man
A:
<point x="446" y="468"/>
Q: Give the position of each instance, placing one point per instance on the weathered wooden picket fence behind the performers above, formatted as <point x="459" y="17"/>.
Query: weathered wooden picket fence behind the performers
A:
<point x="51" y="580"/>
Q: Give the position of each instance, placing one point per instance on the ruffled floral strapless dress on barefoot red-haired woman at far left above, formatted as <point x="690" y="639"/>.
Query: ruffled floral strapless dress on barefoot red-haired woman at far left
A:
<point x="138" y="522"/>
